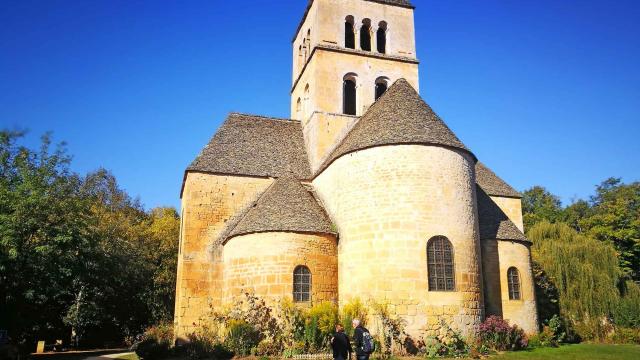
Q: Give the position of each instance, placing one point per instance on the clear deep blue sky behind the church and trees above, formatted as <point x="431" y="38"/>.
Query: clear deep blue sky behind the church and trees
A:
<point x="545" y="92"/>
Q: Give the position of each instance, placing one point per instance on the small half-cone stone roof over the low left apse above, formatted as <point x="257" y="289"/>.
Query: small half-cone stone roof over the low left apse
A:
<point x="285" y="206"/>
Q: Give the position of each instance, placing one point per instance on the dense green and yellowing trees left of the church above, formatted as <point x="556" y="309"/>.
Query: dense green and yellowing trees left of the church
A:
<point x="77" y="254"/>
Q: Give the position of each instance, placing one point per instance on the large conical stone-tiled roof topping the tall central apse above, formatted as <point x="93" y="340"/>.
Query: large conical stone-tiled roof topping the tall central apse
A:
<point x="400" y="116"/>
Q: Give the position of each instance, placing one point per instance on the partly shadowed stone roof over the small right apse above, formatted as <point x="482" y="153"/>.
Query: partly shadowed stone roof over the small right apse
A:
<point x="494" y="223"/>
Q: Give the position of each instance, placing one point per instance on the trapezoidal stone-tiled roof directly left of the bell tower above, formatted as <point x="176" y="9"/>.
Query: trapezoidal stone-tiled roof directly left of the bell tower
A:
<point x="257" y="146"/>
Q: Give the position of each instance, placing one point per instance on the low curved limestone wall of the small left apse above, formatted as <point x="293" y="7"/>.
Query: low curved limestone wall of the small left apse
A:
<point x="263" y="263"/>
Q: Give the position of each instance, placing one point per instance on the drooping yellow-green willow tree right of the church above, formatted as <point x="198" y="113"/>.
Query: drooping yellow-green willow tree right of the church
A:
<point x="584" y="270"/>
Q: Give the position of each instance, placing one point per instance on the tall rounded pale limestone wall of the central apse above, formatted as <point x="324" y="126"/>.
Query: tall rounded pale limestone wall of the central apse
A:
<point x="387" y="202"/>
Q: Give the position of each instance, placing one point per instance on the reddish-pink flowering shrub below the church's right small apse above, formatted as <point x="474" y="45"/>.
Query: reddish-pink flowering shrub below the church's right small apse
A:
<point x="496" y="334"/>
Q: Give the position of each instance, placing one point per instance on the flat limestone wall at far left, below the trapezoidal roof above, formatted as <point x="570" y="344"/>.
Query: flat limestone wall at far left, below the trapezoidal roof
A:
<point x="208" y="201"/>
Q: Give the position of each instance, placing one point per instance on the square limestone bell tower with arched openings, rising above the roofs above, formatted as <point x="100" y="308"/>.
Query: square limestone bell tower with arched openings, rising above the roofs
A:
<point x="345" y="55"/>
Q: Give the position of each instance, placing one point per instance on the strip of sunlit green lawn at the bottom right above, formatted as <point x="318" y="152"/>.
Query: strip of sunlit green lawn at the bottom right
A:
<point x="578" y="351"/>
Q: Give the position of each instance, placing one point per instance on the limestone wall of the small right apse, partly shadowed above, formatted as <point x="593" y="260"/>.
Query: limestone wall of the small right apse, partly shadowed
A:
<point x="497" y="257"/>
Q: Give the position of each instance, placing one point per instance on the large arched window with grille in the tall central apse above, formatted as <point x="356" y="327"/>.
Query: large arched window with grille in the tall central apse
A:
<point x="440" y="265"/>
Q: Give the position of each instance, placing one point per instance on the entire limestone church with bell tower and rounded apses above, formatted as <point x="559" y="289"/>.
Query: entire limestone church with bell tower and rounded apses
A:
<point x="364" y="193"/>
